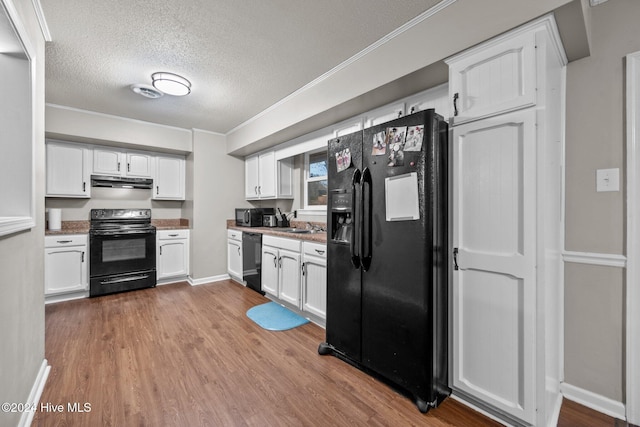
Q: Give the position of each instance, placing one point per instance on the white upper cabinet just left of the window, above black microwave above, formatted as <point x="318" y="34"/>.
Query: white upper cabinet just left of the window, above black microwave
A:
<point x="268" y="178"/>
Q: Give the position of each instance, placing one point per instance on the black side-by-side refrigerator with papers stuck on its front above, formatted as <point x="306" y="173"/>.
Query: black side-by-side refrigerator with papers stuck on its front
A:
<point x="387" y="241"/>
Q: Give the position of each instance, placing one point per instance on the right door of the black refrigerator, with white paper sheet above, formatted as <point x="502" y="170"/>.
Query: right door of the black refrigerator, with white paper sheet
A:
<point x="397" y="290"/>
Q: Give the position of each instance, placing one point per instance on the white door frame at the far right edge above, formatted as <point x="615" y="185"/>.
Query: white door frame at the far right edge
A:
<point x="633" y="239"/>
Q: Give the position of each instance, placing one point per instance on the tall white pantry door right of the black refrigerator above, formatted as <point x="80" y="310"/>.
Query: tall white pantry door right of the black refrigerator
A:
<point x="494" y="231"/>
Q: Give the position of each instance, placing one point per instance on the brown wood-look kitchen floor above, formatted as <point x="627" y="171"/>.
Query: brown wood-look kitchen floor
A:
<point x="179" y="355"/>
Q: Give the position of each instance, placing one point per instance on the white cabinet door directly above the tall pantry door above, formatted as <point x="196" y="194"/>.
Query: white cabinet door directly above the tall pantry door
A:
<point x="498" y="78"/>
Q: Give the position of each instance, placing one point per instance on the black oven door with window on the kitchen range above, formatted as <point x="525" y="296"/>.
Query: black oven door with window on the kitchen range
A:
<point x="115" y="252"/>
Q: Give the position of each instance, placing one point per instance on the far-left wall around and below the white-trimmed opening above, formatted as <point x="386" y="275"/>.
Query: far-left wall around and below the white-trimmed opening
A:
<point x="22" y="261"/>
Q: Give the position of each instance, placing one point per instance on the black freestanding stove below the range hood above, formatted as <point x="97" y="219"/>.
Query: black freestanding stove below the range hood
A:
<point x="122" y="248"/>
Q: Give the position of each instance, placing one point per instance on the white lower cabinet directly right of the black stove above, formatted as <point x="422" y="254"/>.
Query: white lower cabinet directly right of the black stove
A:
<point x="172" y="254"/>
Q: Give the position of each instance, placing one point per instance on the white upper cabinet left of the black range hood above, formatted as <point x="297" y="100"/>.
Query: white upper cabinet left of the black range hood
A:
<point x="68" y="170"/>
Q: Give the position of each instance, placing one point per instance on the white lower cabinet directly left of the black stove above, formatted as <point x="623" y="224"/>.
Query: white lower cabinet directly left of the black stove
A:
<point x="65" y="264"/>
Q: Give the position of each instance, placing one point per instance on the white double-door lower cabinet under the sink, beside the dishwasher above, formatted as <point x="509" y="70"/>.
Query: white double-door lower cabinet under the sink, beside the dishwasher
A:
<point x="281" y="269"/>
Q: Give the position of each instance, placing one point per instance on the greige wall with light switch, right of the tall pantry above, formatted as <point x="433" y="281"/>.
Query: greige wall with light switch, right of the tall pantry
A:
<point x="595" y="222"/>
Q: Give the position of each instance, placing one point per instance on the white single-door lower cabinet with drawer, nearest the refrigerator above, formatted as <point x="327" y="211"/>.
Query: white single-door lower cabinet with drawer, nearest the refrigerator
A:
<point x="314" y="279"/>
